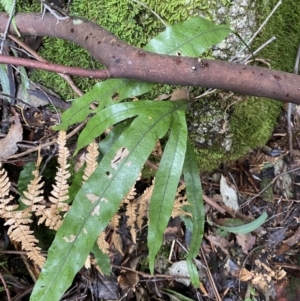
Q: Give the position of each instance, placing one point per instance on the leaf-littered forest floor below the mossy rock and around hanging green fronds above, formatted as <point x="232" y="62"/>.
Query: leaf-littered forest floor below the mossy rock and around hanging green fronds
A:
<point x="261" y="265"/>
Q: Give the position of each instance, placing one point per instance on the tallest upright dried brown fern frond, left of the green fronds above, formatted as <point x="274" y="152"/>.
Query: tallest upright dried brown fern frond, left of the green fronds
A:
<point x="52" y="216"/>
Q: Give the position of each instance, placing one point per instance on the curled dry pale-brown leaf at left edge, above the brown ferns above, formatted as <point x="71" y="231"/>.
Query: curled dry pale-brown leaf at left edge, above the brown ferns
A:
<point x="8" y="145"/>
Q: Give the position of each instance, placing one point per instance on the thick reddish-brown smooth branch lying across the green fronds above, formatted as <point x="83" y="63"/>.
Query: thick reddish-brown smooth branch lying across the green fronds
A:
<point x="125" y="61"/>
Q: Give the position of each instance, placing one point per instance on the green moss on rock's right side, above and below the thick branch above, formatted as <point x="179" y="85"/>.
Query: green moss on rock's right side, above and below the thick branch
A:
<point x="252" y="120"/>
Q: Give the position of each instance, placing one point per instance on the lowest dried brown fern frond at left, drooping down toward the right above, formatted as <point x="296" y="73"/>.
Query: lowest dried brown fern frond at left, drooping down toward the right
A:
<point x="19" y="231"/>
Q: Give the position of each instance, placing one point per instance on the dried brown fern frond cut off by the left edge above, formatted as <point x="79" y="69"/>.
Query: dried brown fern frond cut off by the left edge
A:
<point x="5" y="198"/>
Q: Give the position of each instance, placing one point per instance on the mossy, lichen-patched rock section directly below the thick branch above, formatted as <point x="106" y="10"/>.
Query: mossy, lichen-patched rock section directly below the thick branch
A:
<point x="247" y="124"/>
